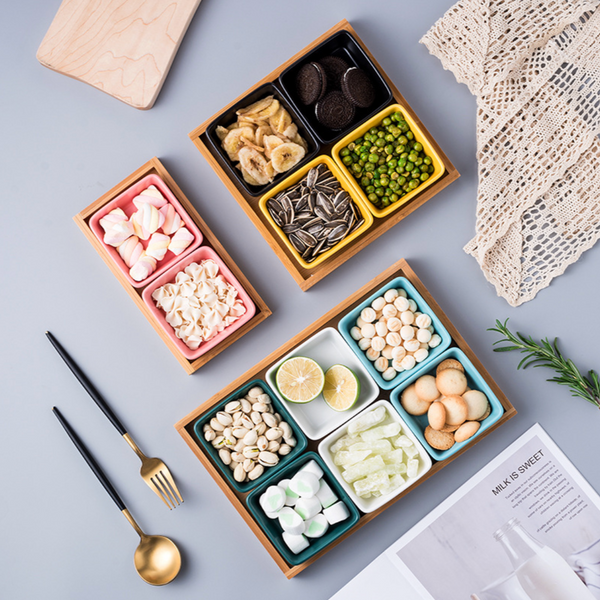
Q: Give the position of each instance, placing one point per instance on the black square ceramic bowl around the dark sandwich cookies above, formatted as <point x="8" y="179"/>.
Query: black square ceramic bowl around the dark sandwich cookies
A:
<point x="343" y="45"/>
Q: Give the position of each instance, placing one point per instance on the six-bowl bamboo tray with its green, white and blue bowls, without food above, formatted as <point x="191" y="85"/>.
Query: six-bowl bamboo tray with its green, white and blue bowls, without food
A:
<point x="316" y="426"/>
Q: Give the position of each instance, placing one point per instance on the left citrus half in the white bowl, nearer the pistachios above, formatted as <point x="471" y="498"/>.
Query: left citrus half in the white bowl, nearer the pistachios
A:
<point x="300" y="379"/>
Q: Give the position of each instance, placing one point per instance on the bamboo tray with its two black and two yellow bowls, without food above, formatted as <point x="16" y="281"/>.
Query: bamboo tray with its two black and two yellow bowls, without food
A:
<point x="323" y="146"/>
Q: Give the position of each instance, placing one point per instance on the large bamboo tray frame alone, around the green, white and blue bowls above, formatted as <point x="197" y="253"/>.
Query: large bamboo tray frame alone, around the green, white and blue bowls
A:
<point x="331" y="319"/>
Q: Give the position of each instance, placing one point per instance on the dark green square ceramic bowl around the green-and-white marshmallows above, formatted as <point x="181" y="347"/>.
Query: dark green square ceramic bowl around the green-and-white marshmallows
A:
<point x="271" y="526"/>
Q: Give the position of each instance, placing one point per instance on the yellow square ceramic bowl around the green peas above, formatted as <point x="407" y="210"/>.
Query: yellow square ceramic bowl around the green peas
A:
<point x="438" y="165"/>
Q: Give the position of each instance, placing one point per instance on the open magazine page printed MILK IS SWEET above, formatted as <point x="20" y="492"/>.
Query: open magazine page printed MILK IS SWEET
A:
<point x="526" y="527"/>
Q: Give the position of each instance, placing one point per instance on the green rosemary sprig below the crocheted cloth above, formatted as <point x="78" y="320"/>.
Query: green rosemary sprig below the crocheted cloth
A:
<point x="546" y="354"/>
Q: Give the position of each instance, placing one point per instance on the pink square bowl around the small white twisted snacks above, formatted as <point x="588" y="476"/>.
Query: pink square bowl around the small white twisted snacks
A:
<point x="201" y="254"/>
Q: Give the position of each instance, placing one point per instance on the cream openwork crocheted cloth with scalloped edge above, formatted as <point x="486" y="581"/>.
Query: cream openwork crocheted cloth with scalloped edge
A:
<point x="534" y="66"/>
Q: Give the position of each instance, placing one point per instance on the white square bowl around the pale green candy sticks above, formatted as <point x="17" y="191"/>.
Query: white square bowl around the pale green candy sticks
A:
<point x="368" y="505"/>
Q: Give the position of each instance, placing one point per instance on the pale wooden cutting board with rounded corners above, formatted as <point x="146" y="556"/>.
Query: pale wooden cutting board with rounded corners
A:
<point x="122" y="47"/>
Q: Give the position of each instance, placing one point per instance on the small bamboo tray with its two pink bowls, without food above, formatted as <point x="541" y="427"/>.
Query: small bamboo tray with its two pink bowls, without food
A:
<point x="205" y="246"/>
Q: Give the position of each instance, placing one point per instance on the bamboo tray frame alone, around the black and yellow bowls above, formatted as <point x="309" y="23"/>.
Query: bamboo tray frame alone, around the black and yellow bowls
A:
<point x="306" y="278"/>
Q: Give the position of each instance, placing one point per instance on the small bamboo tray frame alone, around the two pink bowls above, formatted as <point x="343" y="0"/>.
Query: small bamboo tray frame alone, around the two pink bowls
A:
<point x="156" y="167"/>
